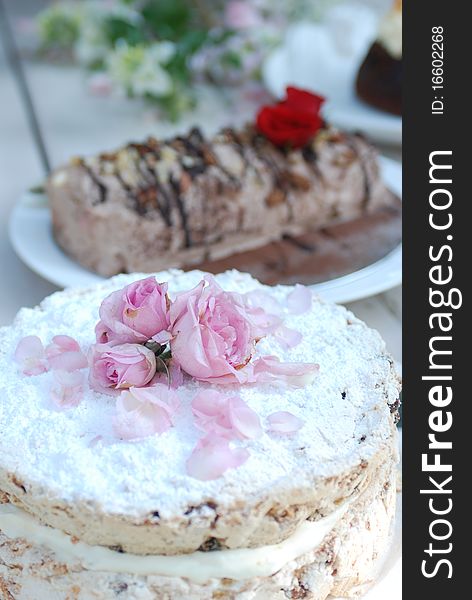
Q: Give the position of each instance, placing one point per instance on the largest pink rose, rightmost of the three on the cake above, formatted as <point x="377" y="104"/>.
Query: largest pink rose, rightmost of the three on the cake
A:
<point x="212" y="336"/>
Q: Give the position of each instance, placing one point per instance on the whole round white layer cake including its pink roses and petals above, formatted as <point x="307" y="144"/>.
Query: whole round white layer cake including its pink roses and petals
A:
<point x="210" y="438"/>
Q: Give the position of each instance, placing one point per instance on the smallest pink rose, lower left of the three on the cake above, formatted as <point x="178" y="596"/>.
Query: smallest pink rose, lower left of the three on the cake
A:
<point x="120" y="367"/>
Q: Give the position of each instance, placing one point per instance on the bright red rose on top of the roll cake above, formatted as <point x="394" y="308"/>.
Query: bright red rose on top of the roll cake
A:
<point x="293" y="121"/>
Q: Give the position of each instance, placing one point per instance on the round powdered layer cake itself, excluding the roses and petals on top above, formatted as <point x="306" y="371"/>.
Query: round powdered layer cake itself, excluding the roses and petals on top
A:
<point x="87" y="515"/>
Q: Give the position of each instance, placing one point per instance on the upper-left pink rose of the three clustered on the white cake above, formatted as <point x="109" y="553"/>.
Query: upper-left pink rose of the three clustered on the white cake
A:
<point x="135" y="314"/>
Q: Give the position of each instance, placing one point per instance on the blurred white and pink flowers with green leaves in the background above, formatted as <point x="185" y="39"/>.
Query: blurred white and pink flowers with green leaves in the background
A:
<point x="156" y="49"/>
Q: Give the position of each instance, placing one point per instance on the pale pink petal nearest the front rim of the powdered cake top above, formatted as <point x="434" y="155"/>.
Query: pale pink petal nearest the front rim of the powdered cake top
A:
<point x="213" y="456"/>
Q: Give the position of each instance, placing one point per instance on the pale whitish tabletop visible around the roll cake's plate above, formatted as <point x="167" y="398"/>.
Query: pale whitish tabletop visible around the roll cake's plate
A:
<point x="74" y="121"/>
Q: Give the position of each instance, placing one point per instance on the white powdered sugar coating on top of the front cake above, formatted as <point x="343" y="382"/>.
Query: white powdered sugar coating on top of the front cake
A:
<point x="346" y="401"/>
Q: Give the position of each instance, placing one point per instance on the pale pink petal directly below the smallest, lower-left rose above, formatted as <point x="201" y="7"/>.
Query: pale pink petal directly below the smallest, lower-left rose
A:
<point x="142" y="412"/>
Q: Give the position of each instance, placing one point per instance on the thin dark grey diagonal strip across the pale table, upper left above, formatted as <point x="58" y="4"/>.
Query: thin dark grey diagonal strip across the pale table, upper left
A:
<point x="14" y="60"/>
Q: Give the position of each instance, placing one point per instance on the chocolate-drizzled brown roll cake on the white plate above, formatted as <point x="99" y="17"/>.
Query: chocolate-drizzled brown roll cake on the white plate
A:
<point x="157" y="204"/>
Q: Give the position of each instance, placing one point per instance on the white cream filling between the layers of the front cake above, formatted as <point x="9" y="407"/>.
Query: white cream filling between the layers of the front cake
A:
<point x="200" y="567"/>
